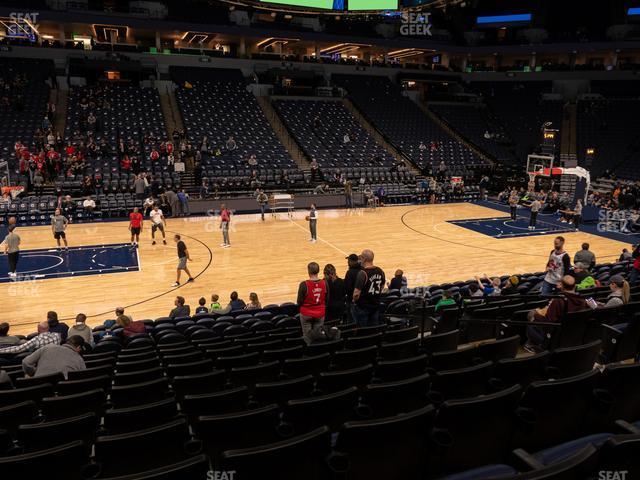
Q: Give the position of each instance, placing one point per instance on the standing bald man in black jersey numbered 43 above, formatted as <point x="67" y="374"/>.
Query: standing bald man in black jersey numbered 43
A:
<point x="366" y="295"/>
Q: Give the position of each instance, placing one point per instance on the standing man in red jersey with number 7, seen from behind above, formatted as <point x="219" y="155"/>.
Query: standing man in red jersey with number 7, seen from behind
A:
<point x="312" y="299"/>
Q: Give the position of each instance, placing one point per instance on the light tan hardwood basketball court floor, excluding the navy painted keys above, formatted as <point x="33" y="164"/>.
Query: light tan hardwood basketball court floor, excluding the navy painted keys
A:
<point x="270" y="258"/>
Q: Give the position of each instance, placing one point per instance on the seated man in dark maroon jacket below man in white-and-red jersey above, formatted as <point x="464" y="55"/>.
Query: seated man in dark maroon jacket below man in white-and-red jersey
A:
<point x="568" y="302"/>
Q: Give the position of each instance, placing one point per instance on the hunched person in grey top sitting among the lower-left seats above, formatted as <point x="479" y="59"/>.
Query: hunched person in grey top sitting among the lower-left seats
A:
<point x="52" y="359"/>
